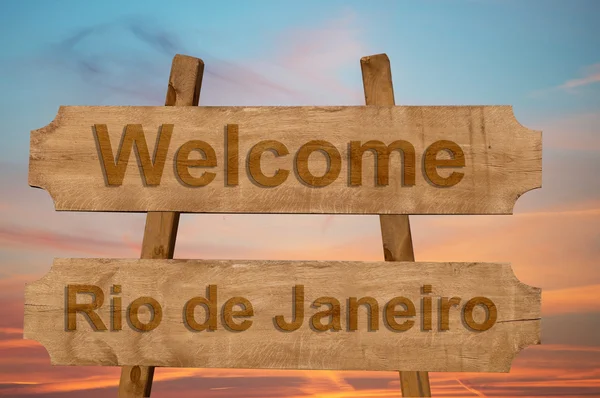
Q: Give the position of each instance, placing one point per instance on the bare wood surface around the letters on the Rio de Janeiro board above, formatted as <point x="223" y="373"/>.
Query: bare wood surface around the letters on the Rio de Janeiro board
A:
<point x="268" y="285"/>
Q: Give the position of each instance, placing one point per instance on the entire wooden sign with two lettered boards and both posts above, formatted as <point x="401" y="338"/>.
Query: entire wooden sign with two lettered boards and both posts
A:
<point x="376" y="159"/>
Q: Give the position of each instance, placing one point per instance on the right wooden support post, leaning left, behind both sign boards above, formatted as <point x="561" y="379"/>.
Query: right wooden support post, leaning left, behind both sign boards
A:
<point x="395" y="229"/>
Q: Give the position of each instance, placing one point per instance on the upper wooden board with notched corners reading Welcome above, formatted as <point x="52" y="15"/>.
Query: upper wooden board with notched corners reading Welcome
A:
<point x="363" y="159"/>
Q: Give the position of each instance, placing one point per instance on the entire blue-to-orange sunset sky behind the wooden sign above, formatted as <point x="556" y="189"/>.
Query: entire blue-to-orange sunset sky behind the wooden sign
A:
<point x="540" y="56"/>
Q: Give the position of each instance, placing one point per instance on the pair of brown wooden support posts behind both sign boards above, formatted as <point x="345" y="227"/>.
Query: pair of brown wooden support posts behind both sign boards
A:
<point x="161" y="227"/>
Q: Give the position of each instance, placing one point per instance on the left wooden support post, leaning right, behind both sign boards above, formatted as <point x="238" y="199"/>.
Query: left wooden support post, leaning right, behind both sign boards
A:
<point x="160" y="233"/>
